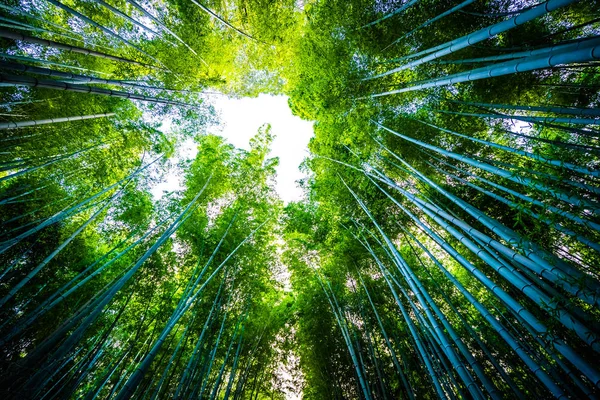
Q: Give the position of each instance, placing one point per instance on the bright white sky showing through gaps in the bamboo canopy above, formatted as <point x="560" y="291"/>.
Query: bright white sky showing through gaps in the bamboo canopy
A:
<point x="240" y="120"/>
